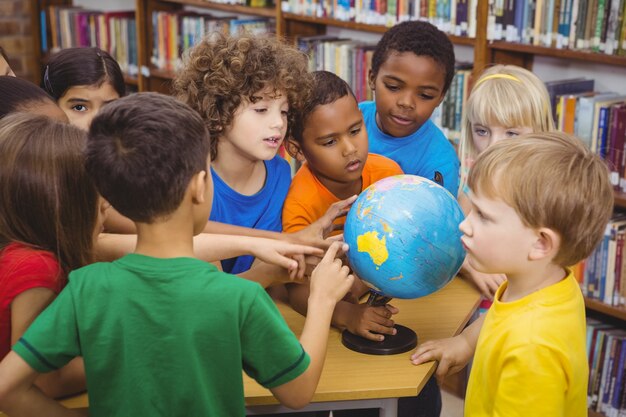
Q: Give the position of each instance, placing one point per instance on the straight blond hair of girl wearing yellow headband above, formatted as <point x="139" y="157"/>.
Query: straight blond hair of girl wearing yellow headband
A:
<point x="505" y="95"/>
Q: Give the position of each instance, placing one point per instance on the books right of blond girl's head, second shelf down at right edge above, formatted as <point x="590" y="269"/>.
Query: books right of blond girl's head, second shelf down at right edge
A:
<point x="598" y="118"/>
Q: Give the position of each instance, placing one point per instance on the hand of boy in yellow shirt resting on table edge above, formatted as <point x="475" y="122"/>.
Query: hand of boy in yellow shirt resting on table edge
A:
<point x="453" y="354"/>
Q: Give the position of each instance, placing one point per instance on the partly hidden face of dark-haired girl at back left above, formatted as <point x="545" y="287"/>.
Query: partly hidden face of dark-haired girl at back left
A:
<point x="81" y="103"/>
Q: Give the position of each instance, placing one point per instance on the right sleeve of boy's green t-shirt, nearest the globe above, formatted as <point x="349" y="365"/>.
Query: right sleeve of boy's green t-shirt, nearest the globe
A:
<point x="272" y="354"/>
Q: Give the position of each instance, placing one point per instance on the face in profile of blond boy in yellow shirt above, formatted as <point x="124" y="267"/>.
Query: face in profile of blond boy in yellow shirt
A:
<point x="494" y="236"/>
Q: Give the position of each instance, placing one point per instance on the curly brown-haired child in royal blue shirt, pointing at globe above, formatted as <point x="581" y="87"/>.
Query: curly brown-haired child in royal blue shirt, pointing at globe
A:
<point x="246" y="90"/>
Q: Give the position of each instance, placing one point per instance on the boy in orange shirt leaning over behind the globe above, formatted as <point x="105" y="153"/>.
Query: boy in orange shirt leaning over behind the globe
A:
<point x="329" y="138"/>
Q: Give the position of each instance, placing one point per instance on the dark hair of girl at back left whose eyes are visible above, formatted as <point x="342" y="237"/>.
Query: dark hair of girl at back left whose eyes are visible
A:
<point x="81" y="66"/>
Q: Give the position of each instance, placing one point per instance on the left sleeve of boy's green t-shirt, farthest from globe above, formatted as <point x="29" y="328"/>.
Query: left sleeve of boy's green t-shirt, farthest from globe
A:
<point x="52" y="340"/>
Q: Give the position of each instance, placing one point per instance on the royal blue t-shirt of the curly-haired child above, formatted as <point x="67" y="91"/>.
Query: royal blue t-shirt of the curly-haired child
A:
<point x="262" y="210"/>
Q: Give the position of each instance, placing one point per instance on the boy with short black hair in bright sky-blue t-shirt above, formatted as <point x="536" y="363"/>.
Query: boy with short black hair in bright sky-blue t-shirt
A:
<point x="412" y="69"/>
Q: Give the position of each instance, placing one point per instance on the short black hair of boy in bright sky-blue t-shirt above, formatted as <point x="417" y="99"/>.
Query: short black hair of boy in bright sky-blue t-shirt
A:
<point x="421" y="38"/>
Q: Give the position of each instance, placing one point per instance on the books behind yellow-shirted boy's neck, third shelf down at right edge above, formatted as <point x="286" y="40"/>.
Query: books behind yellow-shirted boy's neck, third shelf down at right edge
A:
<point x="603" y="273"/>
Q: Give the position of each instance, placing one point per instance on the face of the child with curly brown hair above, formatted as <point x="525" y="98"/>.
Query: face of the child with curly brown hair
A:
<point x="258" y="128"/>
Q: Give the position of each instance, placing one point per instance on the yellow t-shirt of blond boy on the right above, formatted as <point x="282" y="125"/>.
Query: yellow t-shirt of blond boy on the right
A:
<point x="530" y="358"/>
